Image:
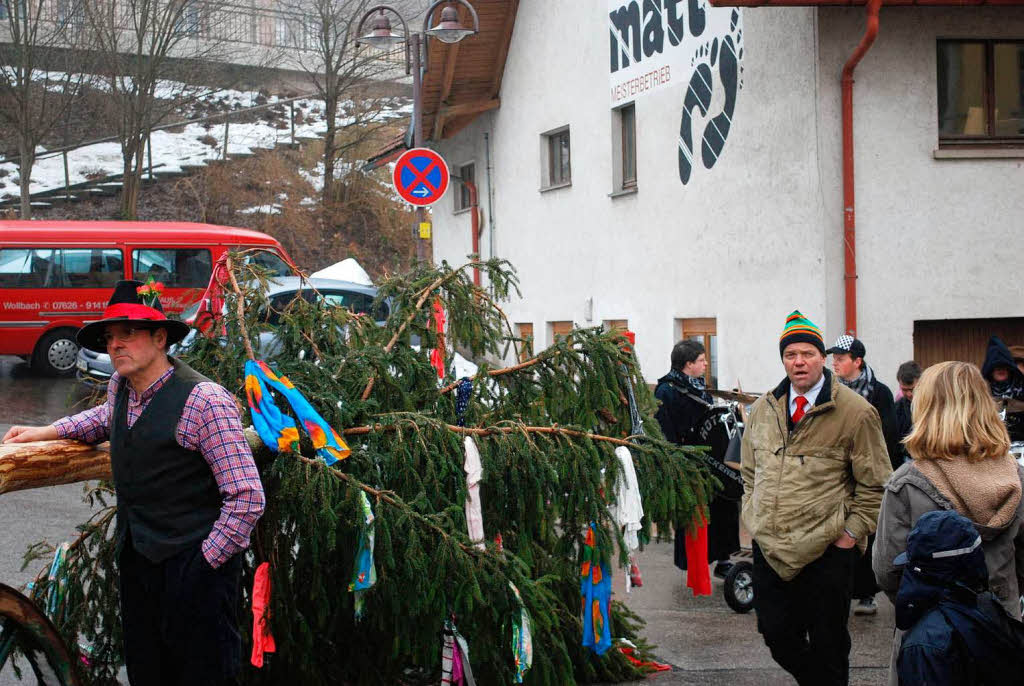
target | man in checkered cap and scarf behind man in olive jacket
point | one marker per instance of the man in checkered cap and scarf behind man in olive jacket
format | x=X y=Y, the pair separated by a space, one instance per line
x=851 y=370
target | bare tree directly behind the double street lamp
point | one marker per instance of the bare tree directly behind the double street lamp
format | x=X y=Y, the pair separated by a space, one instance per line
x=349 y=78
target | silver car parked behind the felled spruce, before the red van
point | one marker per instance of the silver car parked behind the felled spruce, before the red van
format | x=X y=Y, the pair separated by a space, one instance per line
x=95 y=369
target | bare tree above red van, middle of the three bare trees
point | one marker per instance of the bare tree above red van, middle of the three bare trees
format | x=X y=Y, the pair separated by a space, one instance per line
x=157 y=56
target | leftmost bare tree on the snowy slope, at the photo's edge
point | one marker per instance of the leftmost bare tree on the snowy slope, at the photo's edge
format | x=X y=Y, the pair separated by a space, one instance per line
x=41 y=36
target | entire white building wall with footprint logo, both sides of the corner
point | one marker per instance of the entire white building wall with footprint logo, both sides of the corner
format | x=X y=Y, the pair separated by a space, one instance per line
x=760 y=234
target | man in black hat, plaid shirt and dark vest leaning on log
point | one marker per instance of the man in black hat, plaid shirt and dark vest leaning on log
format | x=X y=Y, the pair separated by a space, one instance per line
x=189 y=494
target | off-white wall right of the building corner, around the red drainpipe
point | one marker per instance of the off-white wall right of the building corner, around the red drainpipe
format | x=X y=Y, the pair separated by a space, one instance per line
x=936 y=239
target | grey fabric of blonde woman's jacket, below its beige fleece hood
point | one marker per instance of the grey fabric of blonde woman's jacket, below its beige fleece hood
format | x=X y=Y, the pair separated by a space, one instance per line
x=909 y=495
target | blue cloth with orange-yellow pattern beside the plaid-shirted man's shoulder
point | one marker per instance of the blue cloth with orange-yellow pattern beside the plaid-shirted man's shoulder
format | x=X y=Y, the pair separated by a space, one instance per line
x=277 y=431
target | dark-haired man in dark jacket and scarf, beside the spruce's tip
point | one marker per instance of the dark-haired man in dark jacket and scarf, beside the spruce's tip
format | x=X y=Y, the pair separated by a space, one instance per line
x=685 y=405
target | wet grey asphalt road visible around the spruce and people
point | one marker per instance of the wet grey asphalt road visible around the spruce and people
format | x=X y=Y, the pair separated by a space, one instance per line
x=704 y=641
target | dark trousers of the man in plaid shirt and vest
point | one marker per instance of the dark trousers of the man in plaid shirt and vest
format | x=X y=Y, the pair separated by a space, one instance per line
x=181 y=620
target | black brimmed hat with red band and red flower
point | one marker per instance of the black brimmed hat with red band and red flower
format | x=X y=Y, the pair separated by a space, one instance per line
x=136 y=305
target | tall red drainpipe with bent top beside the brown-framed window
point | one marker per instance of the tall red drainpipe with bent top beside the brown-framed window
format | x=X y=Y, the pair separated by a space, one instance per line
x=849 y=218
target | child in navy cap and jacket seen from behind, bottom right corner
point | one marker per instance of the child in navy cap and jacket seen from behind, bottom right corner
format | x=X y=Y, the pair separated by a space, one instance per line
x=958 y=633
